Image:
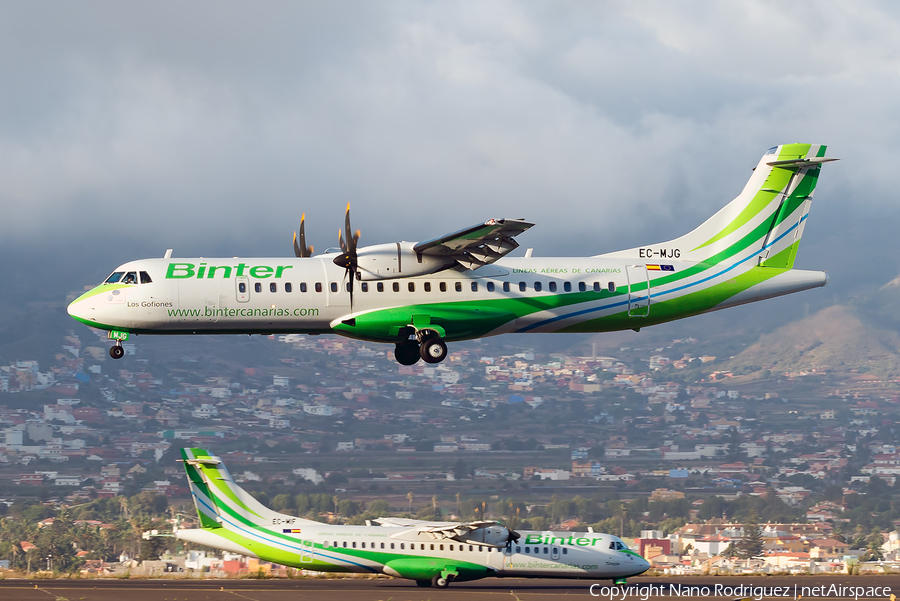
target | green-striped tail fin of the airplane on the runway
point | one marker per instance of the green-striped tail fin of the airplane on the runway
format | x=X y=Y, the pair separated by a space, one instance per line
x=218 y=498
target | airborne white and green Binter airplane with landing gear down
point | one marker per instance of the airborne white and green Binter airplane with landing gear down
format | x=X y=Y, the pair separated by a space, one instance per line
x=461 y=286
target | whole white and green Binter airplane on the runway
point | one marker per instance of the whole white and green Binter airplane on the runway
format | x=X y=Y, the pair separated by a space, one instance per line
x=431 y=553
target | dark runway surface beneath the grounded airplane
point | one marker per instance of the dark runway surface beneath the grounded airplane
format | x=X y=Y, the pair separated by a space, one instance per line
x=514 y=589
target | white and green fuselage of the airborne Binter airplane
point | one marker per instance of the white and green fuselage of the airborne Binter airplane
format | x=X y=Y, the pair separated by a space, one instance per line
x=311 y=295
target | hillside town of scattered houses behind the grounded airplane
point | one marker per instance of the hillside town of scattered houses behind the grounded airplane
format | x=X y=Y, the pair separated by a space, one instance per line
x=657 y=443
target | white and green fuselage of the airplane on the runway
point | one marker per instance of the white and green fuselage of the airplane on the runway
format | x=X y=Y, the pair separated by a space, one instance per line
x=401 y=552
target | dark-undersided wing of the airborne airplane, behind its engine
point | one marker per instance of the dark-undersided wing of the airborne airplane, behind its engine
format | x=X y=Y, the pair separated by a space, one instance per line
x=478 y=245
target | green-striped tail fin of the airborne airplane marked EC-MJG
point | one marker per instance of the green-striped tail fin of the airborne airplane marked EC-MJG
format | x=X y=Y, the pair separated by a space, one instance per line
x=767 y=217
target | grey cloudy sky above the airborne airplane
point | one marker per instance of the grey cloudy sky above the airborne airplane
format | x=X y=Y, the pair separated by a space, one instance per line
x=210 y=127
